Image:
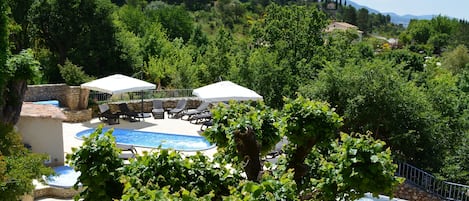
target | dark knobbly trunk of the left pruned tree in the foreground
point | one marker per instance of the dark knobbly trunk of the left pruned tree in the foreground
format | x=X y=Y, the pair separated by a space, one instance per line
x=249 y=149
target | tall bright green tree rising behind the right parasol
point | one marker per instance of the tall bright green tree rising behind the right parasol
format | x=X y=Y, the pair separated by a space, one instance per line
x=294 y=34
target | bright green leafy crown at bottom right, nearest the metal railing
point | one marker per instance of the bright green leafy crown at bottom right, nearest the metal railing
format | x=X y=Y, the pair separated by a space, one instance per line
x=354 y=165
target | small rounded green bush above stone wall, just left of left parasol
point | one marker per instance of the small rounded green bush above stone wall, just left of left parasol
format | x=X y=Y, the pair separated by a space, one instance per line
x=73 y=74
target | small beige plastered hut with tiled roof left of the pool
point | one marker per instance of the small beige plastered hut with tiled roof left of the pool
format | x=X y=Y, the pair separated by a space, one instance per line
x=41 y=129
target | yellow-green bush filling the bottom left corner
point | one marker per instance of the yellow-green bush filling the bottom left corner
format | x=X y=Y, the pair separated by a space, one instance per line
x=18 y=166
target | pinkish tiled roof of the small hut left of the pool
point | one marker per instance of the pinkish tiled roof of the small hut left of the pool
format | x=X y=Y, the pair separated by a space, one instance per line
x=41 y=111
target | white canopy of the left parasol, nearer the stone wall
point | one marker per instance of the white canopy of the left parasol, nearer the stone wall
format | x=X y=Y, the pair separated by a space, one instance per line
x=116 y=84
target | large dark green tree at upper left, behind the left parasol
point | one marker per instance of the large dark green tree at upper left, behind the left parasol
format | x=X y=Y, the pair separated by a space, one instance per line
x=54 y=23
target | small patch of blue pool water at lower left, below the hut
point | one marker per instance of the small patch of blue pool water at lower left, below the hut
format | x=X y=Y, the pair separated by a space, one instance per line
x=65 y=177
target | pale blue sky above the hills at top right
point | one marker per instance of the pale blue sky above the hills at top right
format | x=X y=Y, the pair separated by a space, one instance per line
x=455 y=8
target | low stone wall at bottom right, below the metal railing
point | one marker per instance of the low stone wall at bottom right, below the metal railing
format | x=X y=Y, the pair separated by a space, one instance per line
x=411 y=193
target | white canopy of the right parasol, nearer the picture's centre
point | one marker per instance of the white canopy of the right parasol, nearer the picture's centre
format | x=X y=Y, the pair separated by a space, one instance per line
x=225 y=91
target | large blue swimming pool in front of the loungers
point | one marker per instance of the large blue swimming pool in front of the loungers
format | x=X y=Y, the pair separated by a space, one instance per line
x=154 y=140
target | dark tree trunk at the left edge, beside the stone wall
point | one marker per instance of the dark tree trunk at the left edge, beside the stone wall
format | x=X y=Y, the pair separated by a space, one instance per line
x=13 y=101
